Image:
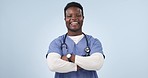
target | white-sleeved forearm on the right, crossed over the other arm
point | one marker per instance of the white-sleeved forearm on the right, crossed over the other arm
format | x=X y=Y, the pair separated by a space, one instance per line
x=93 y=62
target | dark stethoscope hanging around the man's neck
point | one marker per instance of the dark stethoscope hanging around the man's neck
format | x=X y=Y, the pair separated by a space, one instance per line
x=87 y=49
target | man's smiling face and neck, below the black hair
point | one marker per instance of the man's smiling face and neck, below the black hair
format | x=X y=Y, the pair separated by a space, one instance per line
x=74 y=20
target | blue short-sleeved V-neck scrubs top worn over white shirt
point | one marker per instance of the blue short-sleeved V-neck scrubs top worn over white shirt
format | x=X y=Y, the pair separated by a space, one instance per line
x=76 y=49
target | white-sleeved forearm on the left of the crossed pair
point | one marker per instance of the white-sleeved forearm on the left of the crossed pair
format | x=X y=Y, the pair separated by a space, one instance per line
x=56 y=64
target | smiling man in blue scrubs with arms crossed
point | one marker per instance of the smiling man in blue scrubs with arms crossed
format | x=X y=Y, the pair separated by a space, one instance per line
x=75 y=54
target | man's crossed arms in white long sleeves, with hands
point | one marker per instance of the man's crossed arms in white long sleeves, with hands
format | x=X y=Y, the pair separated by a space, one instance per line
x=58 y=63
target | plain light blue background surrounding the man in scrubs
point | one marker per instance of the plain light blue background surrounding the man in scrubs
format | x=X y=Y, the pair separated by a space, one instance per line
x=28 y=26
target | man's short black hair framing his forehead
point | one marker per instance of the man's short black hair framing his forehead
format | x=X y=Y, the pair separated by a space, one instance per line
x=73 y=4
